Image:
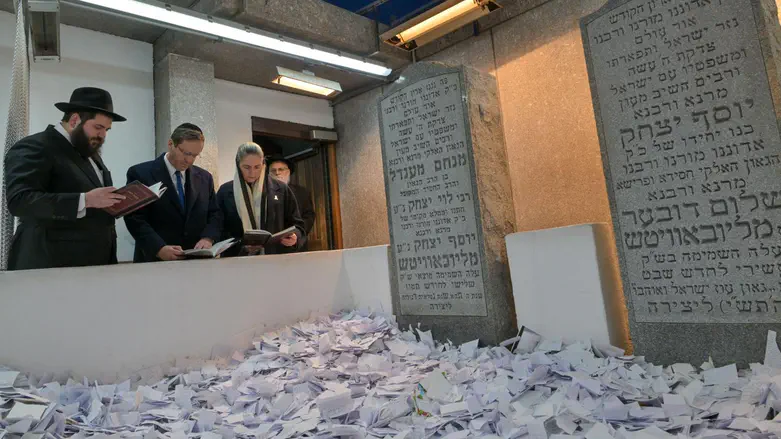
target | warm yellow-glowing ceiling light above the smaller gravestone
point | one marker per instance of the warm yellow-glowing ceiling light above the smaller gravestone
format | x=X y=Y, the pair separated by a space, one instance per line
x=437 y=22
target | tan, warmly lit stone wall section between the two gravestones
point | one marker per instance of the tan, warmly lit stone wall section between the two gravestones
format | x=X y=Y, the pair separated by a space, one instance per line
x=551 y=135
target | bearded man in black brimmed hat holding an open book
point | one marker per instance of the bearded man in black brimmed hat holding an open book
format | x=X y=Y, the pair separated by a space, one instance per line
x=57 y=184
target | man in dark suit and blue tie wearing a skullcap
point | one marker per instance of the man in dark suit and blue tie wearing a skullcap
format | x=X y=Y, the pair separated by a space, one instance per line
x=187 y=215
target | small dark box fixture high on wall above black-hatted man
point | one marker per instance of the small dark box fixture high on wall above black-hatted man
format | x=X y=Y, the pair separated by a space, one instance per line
x=43 y=17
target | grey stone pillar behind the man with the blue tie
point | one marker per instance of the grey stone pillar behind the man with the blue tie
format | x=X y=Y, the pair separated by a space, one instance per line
x=184 y=92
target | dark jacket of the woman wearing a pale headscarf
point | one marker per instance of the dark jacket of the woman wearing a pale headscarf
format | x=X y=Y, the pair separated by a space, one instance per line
x=281 y=213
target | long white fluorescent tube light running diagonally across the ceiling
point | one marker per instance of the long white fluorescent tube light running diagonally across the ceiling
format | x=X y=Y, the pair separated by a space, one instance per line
x=185 y=19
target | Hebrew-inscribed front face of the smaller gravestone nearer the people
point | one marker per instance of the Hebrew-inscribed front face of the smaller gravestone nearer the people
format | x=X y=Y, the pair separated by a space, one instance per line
x=428 y=174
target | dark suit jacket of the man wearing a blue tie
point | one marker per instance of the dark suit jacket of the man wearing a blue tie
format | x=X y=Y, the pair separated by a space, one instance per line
x=165 y=222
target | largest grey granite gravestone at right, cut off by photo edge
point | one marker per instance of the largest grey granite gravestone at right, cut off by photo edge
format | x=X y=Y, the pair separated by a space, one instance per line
x=688 y=128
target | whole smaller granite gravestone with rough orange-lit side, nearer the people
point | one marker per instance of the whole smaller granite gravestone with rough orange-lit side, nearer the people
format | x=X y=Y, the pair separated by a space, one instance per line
x=449 y=203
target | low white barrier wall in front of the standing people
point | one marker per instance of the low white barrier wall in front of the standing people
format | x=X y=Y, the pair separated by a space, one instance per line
x=108 y=323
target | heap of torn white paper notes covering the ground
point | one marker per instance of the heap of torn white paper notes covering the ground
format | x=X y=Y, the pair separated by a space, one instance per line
x=357 y=375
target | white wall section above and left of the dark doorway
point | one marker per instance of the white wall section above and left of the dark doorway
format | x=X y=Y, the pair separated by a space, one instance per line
x=237 y=103
